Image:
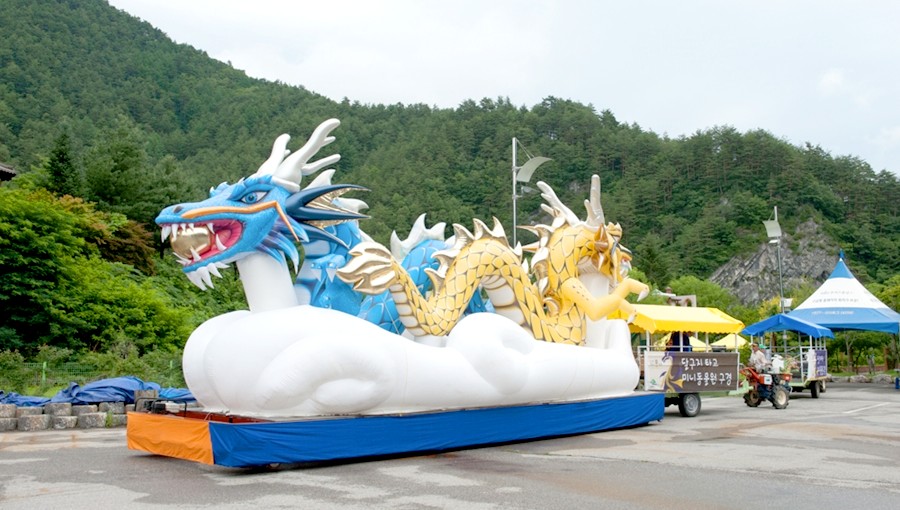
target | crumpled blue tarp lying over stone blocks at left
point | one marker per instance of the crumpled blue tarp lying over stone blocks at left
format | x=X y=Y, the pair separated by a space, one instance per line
x=117 y=389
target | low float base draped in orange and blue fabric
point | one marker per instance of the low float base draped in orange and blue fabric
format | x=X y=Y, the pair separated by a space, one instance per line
x=236 y=441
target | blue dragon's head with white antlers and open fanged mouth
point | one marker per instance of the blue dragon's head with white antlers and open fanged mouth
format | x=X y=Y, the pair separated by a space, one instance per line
x=266 y=212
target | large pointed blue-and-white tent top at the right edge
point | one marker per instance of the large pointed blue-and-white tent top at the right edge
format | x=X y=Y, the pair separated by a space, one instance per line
x=843 y=303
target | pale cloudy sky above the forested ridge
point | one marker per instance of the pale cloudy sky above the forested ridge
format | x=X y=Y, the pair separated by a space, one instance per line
x=824 y=72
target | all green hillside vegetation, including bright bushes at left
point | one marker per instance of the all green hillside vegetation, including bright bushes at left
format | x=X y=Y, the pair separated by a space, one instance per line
x=98 y=105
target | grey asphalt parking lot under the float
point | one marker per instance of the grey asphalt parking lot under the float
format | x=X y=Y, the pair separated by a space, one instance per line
x=841 y=450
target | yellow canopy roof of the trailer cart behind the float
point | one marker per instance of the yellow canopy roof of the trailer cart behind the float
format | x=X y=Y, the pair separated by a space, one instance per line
x=663 y=318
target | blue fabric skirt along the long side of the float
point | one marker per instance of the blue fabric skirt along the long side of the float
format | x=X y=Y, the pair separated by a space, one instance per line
x=314 y=440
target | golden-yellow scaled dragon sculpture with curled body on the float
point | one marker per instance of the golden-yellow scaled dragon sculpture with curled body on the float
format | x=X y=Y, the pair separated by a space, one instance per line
x=554 y=309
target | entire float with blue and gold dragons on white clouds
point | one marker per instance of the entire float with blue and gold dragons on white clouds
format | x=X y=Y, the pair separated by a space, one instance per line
x=431 y=345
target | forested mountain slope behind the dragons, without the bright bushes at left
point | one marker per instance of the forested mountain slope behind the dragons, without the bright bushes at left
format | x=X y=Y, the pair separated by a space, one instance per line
x=148 y=122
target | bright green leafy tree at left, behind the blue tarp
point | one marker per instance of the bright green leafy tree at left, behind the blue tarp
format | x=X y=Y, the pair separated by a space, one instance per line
x=56 y=290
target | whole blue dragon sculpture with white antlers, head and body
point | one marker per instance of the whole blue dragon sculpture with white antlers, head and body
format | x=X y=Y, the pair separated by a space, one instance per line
x=269 y=213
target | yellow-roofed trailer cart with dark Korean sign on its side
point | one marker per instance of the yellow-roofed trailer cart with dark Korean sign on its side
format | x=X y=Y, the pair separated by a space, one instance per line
x=685 y=371
